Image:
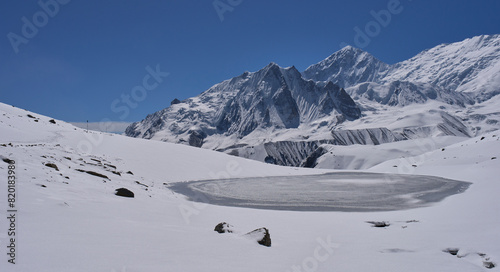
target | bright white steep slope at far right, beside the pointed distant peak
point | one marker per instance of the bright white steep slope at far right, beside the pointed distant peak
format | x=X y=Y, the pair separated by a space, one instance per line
x=471 y=66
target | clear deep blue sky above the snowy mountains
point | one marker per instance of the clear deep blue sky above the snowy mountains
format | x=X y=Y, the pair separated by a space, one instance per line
x=91 y=52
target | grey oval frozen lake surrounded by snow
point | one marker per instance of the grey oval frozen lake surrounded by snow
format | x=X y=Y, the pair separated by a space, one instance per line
x=342 y=191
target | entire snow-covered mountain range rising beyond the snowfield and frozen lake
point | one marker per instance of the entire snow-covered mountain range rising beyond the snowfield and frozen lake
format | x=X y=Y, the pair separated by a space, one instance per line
x=282 y=116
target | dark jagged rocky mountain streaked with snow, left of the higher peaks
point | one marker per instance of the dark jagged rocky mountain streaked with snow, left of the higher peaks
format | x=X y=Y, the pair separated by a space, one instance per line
x=271 y=99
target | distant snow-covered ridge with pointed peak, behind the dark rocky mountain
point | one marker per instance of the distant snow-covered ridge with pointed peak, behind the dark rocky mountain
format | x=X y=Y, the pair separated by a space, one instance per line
x=471 y=66
